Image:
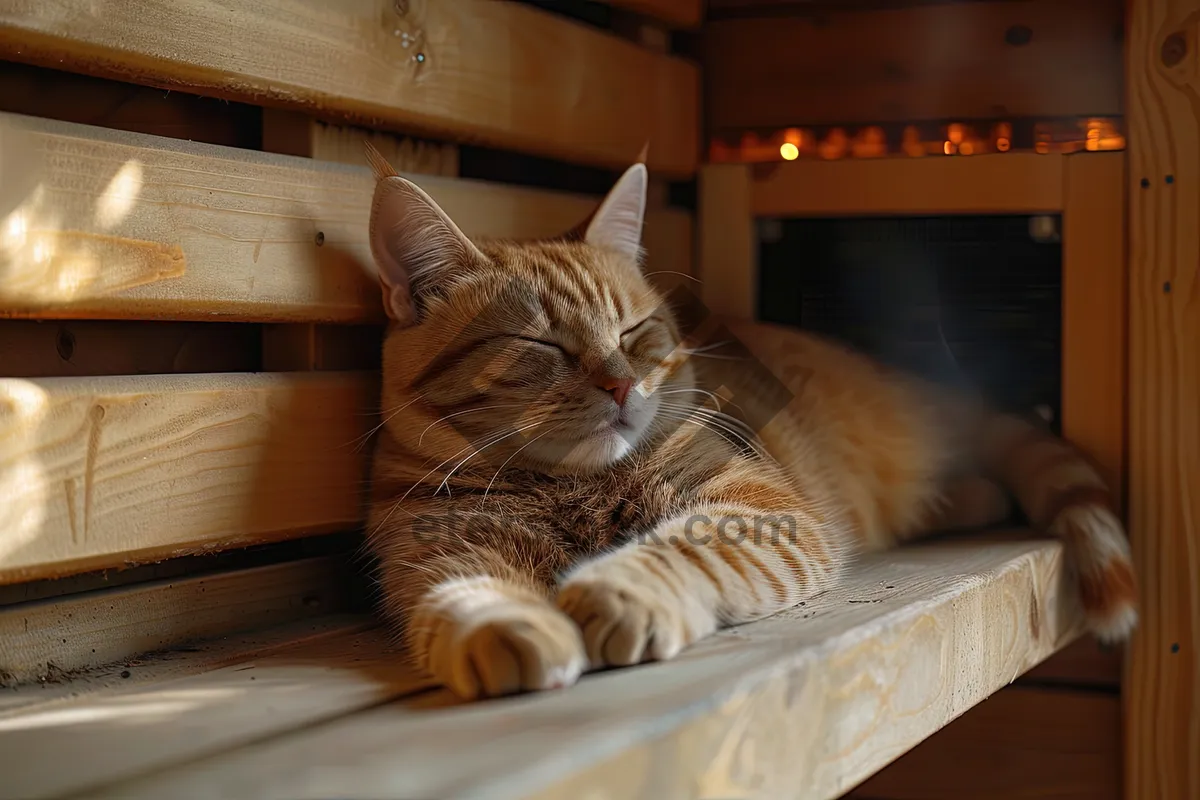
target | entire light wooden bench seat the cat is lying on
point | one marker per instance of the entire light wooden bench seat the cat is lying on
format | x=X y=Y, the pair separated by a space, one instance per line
x=808 y=703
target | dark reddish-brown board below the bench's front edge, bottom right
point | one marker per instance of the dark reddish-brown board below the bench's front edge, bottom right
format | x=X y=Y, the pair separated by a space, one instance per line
x=1021 y=744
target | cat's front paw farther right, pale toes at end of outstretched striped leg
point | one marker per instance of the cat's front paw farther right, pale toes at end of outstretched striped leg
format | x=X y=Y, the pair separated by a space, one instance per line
x=625 y=624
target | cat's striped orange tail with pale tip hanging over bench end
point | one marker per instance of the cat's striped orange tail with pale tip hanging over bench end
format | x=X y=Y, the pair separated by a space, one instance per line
x=1064 y=495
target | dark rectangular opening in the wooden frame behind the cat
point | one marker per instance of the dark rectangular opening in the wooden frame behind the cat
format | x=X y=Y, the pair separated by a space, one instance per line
x=968 y=300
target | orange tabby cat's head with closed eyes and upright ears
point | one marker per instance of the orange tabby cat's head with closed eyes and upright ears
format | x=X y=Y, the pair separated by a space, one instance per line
x=556 y=356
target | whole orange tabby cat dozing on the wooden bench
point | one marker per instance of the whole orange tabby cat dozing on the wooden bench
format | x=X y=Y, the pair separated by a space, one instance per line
x=562 y=483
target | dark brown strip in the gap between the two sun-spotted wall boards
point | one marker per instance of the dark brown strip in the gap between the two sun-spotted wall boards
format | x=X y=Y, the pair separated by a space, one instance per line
x=74 y=348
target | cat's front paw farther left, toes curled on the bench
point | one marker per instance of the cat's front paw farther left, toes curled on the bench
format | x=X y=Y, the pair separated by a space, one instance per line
x=518 y=648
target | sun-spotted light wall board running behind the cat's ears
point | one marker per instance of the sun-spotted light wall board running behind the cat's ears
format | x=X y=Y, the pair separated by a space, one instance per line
x=185 y=231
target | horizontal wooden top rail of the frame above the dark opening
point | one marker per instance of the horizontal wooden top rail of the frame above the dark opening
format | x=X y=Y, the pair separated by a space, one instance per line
x=994 y=184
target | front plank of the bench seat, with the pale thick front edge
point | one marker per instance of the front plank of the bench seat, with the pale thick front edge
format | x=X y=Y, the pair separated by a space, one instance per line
x=803 y=705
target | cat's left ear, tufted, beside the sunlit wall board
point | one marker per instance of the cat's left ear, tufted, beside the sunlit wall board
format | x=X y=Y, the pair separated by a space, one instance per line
x=415 y=243
